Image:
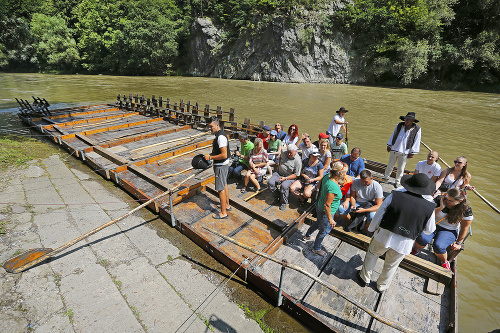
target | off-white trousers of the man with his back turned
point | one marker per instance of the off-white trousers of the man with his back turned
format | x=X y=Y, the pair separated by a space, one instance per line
x=391 y=263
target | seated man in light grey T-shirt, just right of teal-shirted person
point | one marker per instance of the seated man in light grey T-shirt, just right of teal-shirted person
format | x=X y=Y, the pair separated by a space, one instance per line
x=366 y=196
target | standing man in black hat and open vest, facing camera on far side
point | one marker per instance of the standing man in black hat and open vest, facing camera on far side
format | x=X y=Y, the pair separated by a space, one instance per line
x=402 y=145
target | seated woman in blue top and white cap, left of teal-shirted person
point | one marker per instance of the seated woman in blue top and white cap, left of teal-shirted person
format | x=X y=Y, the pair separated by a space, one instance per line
x=311 y=173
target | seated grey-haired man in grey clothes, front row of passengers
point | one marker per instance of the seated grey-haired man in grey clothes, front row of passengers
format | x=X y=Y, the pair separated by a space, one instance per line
x=289 y=168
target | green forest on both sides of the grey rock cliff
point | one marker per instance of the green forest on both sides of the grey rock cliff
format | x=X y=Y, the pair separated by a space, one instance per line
x=398 y=42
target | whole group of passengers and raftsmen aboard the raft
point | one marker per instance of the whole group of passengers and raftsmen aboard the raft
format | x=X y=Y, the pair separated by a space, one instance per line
x=429 y=204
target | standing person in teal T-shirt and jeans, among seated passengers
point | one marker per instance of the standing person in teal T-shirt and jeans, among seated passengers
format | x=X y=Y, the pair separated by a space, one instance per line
x=328 y=203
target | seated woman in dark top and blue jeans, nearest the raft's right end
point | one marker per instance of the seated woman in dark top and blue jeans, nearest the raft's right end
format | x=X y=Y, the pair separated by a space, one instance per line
x=453 y=213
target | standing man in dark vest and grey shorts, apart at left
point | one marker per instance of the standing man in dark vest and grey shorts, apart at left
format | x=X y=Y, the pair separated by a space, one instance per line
x=220 y=157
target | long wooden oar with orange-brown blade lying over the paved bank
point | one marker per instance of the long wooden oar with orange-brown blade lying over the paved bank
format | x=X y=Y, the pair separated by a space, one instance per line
x=34 y=256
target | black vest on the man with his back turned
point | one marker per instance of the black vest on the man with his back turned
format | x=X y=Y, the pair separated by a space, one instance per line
x=407 y=214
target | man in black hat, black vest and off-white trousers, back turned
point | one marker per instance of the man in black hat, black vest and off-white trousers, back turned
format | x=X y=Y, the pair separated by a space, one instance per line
x=404 y=214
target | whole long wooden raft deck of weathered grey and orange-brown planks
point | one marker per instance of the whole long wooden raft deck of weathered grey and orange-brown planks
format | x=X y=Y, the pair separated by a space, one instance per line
x=147 y=153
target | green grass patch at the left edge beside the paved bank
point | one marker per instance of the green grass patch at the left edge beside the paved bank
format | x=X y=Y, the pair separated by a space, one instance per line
x=16 y=150
